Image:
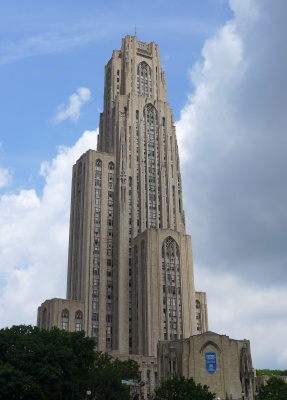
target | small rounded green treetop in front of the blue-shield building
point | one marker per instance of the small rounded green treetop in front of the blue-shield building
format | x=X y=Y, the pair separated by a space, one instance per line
x=181 y=388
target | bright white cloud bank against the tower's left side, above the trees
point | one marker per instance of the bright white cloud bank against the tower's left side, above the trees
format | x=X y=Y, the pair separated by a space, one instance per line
x=34 y=238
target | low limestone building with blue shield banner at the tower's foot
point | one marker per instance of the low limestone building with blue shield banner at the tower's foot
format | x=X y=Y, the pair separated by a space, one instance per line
x=223 y=364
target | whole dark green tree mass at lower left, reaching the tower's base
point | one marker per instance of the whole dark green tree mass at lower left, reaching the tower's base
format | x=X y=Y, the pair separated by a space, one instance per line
x=57 y=365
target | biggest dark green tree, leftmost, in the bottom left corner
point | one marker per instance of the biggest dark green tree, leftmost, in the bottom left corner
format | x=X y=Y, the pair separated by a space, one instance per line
x=40 y=364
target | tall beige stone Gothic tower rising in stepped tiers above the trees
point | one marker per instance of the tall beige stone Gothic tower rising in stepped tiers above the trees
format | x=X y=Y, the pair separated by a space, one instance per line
x=130 y=269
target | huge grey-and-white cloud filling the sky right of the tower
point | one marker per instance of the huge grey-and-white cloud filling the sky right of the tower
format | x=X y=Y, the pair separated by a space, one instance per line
x=232 y=133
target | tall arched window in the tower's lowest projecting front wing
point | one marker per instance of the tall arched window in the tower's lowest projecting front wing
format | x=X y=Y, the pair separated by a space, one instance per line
x=171 y=289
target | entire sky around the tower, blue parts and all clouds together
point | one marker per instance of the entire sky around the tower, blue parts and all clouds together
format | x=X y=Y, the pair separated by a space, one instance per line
x=225 y=65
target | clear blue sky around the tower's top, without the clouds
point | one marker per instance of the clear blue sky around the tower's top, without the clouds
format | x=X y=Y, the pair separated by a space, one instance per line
x=49 y=49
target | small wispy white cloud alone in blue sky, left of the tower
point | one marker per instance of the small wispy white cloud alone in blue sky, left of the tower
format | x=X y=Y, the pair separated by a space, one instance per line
x=73 y=109
